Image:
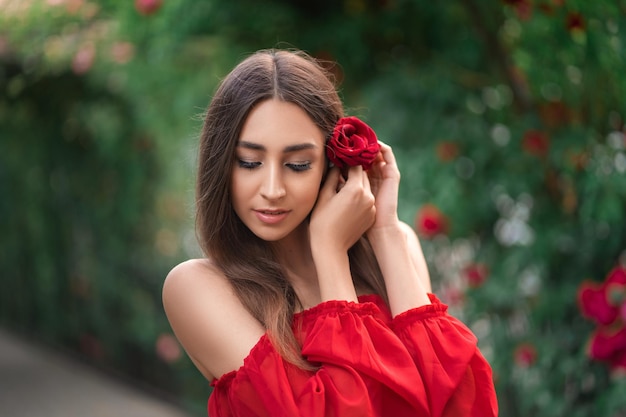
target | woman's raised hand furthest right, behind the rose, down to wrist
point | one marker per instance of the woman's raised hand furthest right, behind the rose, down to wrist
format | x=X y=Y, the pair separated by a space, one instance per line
x=384 y=179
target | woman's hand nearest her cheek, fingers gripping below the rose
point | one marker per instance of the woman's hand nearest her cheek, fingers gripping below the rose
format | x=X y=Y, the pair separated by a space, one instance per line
x=344 y=210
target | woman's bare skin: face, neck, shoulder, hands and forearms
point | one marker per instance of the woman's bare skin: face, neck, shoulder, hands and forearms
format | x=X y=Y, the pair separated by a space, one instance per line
x=279 y=169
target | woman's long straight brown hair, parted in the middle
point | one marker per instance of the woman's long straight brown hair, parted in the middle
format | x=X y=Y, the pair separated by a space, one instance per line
x=246 y=260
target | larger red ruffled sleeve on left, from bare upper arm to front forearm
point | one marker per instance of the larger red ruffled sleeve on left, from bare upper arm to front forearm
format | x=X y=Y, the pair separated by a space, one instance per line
x=363 y=369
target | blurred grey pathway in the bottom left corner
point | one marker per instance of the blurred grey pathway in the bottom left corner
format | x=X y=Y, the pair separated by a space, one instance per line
x=38 y=382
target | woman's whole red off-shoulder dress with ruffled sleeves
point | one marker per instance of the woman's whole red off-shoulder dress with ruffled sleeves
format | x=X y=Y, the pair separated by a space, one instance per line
x=423 y=362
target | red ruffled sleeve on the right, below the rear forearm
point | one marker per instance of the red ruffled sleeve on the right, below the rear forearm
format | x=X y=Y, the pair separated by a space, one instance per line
x=457 y=378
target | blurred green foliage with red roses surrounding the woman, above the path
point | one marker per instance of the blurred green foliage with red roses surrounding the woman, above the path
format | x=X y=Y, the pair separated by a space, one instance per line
x=507 y=120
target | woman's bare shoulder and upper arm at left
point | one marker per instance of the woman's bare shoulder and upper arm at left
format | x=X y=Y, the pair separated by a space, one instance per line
x=208 y=319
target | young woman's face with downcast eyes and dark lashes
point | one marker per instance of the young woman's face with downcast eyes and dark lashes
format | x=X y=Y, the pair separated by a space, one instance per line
x=278 y=170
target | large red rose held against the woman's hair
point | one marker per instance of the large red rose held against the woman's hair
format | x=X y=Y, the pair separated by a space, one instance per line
x=352 y=143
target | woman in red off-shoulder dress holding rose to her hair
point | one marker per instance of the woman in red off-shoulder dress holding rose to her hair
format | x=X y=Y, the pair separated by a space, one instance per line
x=313 y=297
